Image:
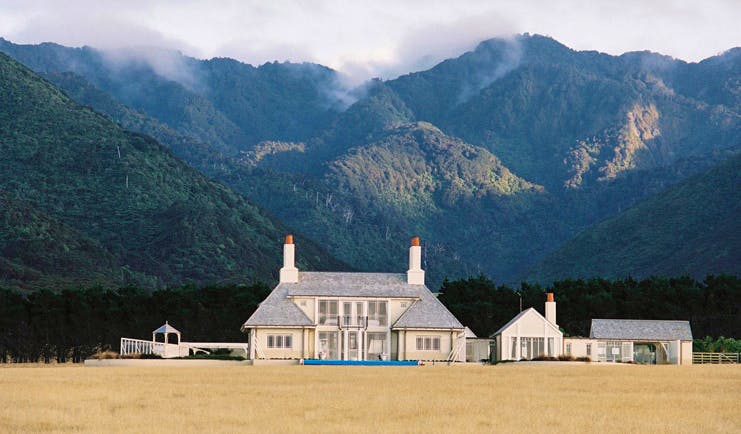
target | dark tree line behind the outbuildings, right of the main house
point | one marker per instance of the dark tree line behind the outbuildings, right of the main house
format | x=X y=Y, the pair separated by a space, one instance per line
x=712 y=306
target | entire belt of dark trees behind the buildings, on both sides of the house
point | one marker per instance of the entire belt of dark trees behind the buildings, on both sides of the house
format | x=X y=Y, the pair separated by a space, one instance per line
x=71 y=325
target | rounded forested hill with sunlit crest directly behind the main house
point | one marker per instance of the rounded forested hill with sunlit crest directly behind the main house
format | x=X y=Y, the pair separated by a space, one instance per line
x=470 y=210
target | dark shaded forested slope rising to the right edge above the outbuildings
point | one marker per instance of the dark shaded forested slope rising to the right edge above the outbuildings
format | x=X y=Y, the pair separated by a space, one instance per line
x=692 y=228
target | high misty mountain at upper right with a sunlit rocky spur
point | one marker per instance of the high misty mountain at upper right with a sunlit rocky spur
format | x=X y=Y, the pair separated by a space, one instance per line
x=560 y=117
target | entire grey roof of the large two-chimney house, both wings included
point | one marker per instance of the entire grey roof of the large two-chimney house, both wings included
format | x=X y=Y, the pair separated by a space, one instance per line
x=279 y=310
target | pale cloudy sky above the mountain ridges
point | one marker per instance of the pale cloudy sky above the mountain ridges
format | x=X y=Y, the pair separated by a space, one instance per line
x=377 y=37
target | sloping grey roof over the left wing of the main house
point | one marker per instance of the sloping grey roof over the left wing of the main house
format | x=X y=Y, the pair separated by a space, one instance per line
x=278 y=310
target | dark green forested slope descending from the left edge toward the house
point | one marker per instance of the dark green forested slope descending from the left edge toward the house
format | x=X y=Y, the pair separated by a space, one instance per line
x=85 y=202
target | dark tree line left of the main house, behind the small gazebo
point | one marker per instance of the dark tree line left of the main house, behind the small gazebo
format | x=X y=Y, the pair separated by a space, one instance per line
x=71 y=325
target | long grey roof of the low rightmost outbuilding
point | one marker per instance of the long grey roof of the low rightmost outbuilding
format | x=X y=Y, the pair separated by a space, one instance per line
x=640 y=329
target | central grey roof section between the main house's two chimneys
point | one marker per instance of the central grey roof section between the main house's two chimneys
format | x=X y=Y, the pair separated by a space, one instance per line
x=353 y=285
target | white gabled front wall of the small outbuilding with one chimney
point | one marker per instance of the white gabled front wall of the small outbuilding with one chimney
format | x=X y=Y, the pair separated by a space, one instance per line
x=530 y=325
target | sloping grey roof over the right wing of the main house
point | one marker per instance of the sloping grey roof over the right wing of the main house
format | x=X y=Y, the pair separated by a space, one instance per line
x=427 y=313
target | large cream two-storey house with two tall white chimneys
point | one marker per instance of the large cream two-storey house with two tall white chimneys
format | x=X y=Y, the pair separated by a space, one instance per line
x=354 y=316
